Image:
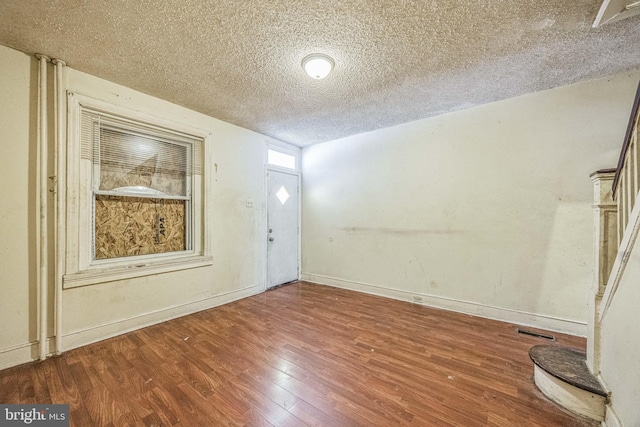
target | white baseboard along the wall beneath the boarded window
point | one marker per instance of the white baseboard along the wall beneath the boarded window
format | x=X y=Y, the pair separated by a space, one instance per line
x=29 y=352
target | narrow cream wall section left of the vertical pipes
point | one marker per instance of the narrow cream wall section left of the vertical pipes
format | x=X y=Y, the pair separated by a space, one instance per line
x=17 y=203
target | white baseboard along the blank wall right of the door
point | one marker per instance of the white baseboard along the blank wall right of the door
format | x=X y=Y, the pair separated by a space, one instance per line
x=523 y=318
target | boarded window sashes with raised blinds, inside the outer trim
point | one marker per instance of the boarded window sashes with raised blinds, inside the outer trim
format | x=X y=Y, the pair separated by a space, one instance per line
x=141 y=187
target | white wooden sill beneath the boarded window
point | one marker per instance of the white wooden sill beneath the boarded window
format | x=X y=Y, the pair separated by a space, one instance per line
x=111 y=274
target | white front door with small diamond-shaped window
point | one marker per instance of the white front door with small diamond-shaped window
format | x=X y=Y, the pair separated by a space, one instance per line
x=282 y=228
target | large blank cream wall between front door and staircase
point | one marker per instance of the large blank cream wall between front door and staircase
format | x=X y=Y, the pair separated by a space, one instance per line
x=486 y=210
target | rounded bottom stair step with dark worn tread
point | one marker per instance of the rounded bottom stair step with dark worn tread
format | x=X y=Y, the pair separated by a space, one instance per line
x=561 y=373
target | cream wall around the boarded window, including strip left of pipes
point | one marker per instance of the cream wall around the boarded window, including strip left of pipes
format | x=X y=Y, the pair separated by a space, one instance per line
x=95 y=312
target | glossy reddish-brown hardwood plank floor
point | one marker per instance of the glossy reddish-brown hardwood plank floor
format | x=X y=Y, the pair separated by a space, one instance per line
x=300 y=355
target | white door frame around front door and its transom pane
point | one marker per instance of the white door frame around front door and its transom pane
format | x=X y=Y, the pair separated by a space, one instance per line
x=295 y=172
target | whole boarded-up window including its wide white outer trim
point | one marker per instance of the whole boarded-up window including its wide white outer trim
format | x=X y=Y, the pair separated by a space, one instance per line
x=136 y=196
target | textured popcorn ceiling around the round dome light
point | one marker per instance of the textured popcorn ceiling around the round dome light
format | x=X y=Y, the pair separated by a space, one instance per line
x=396 y=60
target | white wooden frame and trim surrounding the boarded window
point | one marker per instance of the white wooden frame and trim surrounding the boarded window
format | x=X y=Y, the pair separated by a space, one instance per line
x=80 y=267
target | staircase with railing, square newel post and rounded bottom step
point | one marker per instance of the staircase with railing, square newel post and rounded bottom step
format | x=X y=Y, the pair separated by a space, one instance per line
x=568 y=376
